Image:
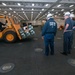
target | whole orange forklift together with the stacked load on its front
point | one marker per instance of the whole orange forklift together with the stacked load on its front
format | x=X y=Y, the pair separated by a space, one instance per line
x=14 y=30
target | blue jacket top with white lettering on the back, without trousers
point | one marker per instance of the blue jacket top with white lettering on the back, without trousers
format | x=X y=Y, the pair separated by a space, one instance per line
x=49 y=28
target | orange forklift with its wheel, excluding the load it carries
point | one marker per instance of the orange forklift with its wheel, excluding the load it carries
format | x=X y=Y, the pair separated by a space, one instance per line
x=9 y=32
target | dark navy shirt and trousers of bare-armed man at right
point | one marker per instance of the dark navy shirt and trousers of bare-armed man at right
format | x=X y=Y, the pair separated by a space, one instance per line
x=68 y=36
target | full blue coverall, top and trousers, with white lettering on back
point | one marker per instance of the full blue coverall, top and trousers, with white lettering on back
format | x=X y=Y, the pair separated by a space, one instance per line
x=49 y=31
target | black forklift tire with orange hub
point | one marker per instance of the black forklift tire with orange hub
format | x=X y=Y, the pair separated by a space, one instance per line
x=10 y=37
